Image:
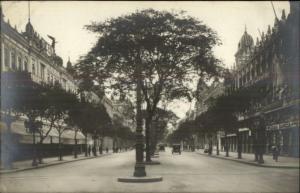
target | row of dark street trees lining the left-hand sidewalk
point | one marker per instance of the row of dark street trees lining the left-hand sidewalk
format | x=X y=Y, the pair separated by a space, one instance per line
x=48 y=107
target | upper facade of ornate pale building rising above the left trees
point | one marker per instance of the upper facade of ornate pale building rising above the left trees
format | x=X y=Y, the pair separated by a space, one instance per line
x=27 y=51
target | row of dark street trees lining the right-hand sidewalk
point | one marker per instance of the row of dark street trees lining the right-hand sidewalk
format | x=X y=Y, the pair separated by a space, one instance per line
x=223 y=114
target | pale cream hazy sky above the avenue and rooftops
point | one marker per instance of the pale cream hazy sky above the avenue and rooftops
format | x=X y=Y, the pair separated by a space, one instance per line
x=65 y=20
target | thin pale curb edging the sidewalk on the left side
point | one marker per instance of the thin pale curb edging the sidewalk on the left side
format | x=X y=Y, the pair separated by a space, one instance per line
x=50 y=164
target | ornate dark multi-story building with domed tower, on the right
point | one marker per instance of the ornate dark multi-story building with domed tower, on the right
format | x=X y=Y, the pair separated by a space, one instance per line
x=273 y=61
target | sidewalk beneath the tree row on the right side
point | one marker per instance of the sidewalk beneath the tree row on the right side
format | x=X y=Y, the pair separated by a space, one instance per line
x=283 y=162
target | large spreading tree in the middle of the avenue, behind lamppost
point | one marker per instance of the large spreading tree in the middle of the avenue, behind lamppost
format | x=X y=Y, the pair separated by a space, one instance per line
x=172 y=51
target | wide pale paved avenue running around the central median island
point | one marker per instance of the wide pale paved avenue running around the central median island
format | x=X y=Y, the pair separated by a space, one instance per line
x=188 y=172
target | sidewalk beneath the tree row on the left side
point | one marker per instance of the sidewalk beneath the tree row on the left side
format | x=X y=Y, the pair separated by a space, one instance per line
x=26 y=164
